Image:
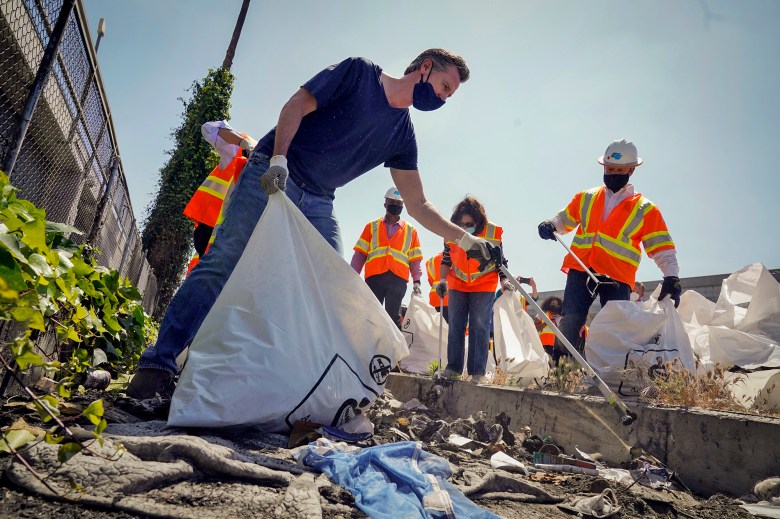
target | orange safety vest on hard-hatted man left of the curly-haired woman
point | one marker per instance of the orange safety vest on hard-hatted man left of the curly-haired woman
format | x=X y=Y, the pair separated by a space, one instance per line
x=385 y=254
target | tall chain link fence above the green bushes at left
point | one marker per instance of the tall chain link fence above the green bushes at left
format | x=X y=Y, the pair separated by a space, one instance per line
x=68 y=162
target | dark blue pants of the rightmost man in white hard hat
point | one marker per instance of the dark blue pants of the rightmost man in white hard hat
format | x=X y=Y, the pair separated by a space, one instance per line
x=577 y=301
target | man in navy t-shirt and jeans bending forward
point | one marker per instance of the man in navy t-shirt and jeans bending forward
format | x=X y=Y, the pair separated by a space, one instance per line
x=342 y=123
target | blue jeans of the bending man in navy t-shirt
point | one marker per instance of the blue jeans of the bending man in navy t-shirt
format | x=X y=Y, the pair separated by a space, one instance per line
x=197 y=294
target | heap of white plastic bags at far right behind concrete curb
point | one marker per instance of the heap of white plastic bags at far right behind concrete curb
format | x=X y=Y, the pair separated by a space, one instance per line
x=741 y=329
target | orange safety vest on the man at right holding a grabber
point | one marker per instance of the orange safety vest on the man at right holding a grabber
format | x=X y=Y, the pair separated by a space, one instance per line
x=611 y=246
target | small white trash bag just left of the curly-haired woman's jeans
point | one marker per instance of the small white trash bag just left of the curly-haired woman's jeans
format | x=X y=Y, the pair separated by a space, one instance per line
x=421 y=329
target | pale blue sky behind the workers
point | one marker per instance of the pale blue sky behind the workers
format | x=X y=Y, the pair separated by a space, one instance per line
x=695 y=84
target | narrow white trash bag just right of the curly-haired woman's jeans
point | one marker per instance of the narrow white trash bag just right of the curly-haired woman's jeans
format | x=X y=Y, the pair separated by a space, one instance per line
x=519 y=350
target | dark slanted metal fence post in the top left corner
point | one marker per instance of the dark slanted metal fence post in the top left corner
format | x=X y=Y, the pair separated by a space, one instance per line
x=40 y=79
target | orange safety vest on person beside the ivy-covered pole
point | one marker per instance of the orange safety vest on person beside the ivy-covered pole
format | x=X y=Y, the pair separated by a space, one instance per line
x=205 y=204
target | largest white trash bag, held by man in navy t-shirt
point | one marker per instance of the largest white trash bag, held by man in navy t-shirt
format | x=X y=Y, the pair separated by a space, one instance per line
x=294 y=335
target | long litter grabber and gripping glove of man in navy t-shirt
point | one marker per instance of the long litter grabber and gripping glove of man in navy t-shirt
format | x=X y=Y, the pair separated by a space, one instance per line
x=627 y=416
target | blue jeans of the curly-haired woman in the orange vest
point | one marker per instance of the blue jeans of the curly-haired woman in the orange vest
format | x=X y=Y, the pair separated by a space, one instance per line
x=475 y=310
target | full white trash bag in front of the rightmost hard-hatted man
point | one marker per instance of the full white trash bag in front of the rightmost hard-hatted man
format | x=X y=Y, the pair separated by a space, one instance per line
x=629 y=344
